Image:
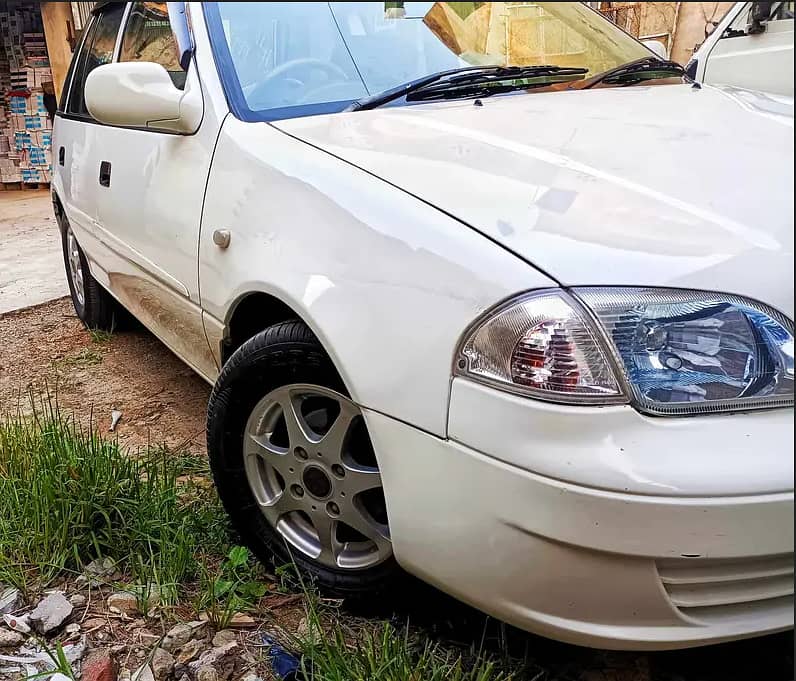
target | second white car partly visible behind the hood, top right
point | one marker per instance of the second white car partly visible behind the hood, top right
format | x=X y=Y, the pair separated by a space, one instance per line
x=751 y=47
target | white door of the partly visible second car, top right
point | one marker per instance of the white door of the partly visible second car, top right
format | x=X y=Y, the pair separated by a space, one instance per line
x=755 y=60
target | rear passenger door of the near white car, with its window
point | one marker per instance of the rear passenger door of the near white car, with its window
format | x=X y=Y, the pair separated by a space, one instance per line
x=77 y=137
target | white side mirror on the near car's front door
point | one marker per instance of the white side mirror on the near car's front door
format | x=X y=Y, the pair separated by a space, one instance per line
x=142 y=95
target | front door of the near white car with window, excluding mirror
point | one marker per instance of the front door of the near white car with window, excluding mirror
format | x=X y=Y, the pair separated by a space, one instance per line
x=151 y=186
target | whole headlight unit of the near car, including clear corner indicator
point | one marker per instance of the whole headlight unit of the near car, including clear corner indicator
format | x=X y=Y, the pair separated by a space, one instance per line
x=668 y=351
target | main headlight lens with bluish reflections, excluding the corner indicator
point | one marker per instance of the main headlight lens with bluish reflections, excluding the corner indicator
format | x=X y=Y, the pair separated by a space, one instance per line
x=691 y=352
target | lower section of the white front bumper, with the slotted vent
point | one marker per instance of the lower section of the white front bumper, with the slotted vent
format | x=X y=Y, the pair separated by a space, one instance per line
x=589 y=566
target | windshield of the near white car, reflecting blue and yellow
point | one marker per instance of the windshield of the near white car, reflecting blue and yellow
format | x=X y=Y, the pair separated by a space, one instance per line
x=298 y=58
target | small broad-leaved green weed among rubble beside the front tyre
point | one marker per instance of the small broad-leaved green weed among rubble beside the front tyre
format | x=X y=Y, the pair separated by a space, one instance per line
x=230 y=589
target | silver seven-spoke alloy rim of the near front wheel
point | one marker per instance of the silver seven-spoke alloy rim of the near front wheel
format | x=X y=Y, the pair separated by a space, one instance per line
x=311 y=468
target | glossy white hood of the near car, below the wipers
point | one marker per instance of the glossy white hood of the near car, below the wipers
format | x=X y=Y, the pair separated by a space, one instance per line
x=664 y=185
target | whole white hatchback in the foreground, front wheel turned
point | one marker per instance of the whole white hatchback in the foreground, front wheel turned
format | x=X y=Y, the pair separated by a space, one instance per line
x=488 y=293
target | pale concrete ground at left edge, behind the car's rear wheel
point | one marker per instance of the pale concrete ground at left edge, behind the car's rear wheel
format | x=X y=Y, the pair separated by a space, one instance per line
x=31 y=264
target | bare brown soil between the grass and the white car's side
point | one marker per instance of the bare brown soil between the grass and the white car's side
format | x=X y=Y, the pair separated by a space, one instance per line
x=46 y=350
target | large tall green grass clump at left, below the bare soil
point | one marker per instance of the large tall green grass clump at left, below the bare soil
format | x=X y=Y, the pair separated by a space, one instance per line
x=68 y=496
